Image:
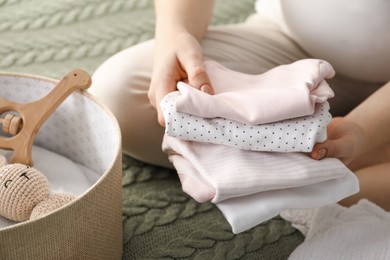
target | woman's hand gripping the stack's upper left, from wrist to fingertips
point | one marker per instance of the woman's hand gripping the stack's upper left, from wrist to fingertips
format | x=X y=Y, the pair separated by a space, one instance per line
x=179 y=59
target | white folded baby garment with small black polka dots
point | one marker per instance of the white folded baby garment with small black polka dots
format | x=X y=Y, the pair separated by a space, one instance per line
x=290 y=135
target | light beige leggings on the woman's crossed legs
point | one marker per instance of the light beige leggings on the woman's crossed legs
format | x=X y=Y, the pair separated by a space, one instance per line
x=252 y=47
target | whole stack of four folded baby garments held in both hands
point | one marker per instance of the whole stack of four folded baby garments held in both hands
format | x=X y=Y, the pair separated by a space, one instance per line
x=244 y=147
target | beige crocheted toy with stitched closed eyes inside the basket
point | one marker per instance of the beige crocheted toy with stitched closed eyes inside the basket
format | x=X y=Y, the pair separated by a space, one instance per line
x=25 y=193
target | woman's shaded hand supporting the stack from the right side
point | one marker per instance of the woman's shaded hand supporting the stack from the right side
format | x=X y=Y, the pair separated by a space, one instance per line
x=344 y=141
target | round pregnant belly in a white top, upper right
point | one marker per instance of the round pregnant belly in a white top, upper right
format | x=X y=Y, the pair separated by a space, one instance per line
x=353 y=35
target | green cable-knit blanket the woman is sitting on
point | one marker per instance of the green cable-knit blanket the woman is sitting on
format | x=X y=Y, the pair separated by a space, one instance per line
x=51 y=37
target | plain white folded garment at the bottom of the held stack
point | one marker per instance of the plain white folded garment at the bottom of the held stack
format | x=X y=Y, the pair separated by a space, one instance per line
x=246 y=212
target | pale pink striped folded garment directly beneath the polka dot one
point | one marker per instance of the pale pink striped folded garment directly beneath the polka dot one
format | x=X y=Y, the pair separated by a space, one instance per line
x=210 y=172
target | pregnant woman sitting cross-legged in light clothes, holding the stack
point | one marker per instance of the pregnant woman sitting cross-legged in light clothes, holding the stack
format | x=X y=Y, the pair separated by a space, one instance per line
x=133 y=82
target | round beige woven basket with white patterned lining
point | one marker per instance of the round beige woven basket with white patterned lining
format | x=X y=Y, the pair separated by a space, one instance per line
x=83 y=130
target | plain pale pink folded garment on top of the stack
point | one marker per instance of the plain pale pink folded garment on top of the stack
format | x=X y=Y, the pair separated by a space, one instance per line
x=286 y=91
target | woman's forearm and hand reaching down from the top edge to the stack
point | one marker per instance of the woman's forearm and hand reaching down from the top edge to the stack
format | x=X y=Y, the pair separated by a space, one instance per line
x=180 y=25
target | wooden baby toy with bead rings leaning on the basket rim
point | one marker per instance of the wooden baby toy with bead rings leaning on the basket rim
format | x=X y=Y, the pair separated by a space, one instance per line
x=34 y=114
